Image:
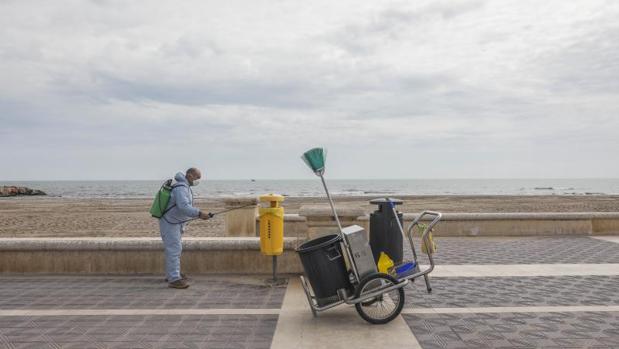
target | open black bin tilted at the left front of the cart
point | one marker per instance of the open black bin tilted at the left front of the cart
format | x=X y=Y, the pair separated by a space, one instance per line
x=324 y=266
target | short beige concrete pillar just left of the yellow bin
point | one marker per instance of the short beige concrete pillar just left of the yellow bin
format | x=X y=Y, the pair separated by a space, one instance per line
x=241 y=222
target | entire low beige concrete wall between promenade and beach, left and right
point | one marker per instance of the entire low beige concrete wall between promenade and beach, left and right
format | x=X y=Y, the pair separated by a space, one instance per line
x=242 y=254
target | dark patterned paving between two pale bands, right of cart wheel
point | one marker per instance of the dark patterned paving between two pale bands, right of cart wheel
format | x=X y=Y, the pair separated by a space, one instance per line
x=514 y=291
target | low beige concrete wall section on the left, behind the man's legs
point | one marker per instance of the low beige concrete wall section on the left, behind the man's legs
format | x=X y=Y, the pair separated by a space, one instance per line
x=140 y=255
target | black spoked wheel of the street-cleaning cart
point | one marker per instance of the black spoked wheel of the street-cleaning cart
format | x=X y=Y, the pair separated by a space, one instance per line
x=383 y=308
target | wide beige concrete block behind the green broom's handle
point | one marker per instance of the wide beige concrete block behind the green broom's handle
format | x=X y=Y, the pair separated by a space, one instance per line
x=320 y=220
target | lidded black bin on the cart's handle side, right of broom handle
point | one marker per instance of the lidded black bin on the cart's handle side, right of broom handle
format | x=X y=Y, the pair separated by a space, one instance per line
x=385 y=235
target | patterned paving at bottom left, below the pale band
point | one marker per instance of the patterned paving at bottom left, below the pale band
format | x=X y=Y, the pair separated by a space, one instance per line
x=183 y=331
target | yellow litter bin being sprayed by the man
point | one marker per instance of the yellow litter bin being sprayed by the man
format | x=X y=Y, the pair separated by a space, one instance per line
x=271 y=225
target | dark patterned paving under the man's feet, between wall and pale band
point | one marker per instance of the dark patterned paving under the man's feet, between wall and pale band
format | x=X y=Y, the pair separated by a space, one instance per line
x=121 y=292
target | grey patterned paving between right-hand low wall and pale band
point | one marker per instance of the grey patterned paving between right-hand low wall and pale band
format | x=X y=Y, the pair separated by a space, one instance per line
x=523 y=250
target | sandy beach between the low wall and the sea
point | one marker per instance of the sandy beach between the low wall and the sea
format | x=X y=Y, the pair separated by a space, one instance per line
x=62 y=217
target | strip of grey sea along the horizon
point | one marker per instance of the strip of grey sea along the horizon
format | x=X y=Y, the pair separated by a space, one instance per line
x=337 y=187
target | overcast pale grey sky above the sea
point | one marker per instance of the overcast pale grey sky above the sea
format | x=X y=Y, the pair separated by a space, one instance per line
x=393 y=89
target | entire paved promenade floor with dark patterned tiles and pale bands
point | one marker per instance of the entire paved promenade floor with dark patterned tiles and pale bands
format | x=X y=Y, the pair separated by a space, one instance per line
x=559 y=292
